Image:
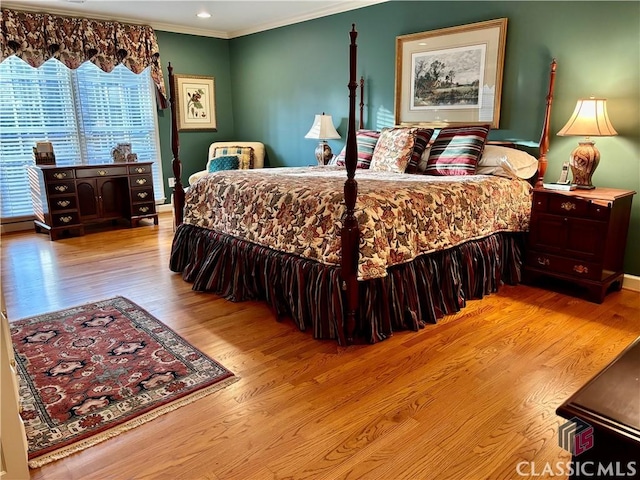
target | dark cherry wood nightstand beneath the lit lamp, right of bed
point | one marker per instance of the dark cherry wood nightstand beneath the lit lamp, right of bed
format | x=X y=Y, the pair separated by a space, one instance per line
x=579 y=236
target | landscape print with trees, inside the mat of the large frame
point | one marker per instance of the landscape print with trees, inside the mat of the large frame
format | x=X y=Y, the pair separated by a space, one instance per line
x=450 y=78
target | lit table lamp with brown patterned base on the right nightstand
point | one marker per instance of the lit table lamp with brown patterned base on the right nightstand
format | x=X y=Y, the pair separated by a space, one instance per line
x=589 y=119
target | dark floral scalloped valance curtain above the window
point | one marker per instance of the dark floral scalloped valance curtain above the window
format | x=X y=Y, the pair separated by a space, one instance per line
x=37 y=37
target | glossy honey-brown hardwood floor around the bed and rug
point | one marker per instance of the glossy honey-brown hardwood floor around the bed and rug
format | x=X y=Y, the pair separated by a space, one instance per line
x=468 y=398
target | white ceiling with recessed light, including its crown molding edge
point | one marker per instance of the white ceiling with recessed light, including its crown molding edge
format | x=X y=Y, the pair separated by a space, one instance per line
x=228 y=19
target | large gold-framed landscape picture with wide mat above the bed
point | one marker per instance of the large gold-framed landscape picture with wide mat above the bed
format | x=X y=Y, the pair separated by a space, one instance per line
x=452 y=75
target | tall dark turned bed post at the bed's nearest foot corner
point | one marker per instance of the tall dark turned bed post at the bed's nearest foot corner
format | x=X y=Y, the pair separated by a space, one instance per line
x=350 y=231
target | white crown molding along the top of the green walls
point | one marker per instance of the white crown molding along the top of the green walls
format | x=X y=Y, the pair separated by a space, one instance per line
x=201 y=32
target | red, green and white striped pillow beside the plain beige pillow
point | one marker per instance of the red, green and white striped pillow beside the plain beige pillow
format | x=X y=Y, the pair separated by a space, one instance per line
x=456 y=150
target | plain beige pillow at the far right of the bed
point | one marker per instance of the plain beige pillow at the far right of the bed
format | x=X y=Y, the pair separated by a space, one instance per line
x=506 y=162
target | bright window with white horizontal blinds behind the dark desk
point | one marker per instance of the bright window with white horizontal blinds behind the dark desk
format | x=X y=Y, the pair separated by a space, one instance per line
x=84 y=113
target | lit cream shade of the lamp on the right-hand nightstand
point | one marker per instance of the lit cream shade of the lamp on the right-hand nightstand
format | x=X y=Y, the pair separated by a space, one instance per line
x=589 y=119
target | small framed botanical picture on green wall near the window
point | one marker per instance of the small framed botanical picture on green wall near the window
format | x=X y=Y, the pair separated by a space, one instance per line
x=195 y=102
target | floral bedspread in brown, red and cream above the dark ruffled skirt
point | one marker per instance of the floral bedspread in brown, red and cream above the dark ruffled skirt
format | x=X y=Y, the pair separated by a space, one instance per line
x=401 y=216
